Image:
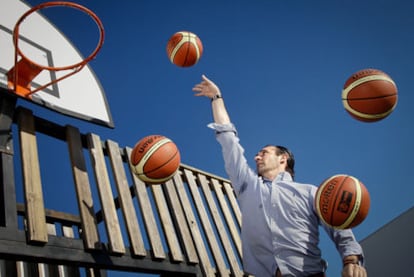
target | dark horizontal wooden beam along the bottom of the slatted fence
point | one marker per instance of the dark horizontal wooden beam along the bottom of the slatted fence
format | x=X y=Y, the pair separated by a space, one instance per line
x=65 y=251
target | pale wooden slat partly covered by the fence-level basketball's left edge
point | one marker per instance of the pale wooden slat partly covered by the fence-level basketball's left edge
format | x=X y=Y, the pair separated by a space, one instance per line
x=147 y=213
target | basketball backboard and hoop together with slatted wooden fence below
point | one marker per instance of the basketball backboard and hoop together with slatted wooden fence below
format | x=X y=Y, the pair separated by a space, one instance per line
x=187 y=226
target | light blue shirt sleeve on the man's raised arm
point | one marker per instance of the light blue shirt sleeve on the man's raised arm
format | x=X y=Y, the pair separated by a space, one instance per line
x=235 y=163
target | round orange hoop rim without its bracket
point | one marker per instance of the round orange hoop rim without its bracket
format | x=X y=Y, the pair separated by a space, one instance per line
x=78 y=65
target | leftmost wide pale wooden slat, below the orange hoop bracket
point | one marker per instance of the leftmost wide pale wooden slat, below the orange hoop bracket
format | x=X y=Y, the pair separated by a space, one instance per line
x=35 y=210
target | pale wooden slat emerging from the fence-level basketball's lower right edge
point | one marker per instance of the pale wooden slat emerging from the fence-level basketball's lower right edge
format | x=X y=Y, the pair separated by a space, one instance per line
x=177 y=213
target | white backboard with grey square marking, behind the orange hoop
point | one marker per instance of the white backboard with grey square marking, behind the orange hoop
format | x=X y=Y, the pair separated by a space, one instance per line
x=80 y=95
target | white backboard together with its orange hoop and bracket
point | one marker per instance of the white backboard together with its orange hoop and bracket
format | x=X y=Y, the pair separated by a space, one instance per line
x=39 y=63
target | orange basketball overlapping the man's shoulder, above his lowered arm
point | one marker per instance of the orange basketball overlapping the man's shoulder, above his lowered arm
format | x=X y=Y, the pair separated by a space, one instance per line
x=342 y=201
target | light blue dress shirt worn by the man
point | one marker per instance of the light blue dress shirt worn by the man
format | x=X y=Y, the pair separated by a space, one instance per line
x=280 y=228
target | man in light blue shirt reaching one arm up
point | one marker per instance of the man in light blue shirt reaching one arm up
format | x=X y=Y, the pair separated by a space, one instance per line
x=280 y=229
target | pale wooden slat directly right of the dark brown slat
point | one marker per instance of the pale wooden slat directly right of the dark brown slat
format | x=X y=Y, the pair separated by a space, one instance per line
x=116 y=243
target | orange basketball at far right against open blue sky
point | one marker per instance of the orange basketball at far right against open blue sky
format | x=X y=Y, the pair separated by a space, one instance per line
x=369 y=95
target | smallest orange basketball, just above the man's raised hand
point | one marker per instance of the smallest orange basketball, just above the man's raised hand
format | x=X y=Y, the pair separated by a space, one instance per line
x=184 y=49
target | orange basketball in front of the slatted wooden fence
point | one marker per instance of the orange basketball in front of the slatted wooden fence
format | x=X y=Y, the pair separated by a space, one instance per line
x=155 y=159
